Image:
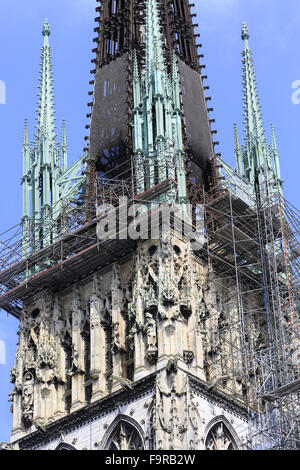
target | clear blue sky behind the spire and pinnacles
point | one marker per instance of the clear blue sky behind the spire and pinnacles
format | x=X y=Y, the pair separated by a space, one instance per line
x=274 y=38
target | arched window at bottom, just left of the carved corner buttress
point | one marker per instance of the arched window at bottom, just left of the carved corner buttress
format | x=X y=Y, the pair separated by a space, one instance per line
x=124 y=436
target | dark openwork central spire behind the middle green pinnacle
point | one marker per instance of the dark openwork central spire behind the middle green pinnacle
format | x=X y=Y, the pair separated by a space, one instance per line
x=122 y=35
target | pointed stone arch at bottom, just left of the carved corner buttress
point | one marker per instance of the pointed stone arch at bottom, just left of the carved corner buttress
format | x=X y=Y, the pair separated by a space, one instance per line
x=123 y=434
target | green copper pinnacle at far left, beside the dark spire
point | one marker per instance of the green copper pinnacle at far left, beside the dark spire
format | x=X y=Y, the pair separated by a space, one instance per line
x=45 y=174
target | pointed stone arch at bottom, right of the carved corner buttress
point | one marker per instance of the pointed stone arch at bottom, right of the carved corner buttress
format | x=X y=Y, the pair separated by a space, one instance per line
x=220 y=435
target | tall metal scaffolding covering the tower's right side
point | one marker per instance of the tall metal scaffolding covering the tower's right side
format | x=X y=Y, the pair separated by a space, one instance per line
x=254 y=249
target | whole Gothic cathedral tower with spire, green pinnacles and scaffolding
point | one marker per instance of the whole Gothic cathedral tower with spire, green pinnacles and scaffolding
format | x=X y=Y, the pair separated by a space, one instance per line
x=152 y=307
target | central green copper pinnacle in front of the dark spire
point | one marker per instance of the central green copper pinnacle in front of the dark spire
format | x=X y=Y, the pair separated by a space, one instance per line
x=157 y=127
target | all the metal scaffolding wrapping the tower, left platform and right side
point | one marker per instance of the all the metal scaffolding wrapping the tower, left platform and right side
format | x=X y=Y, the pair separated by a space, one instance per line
x=252 y=249
